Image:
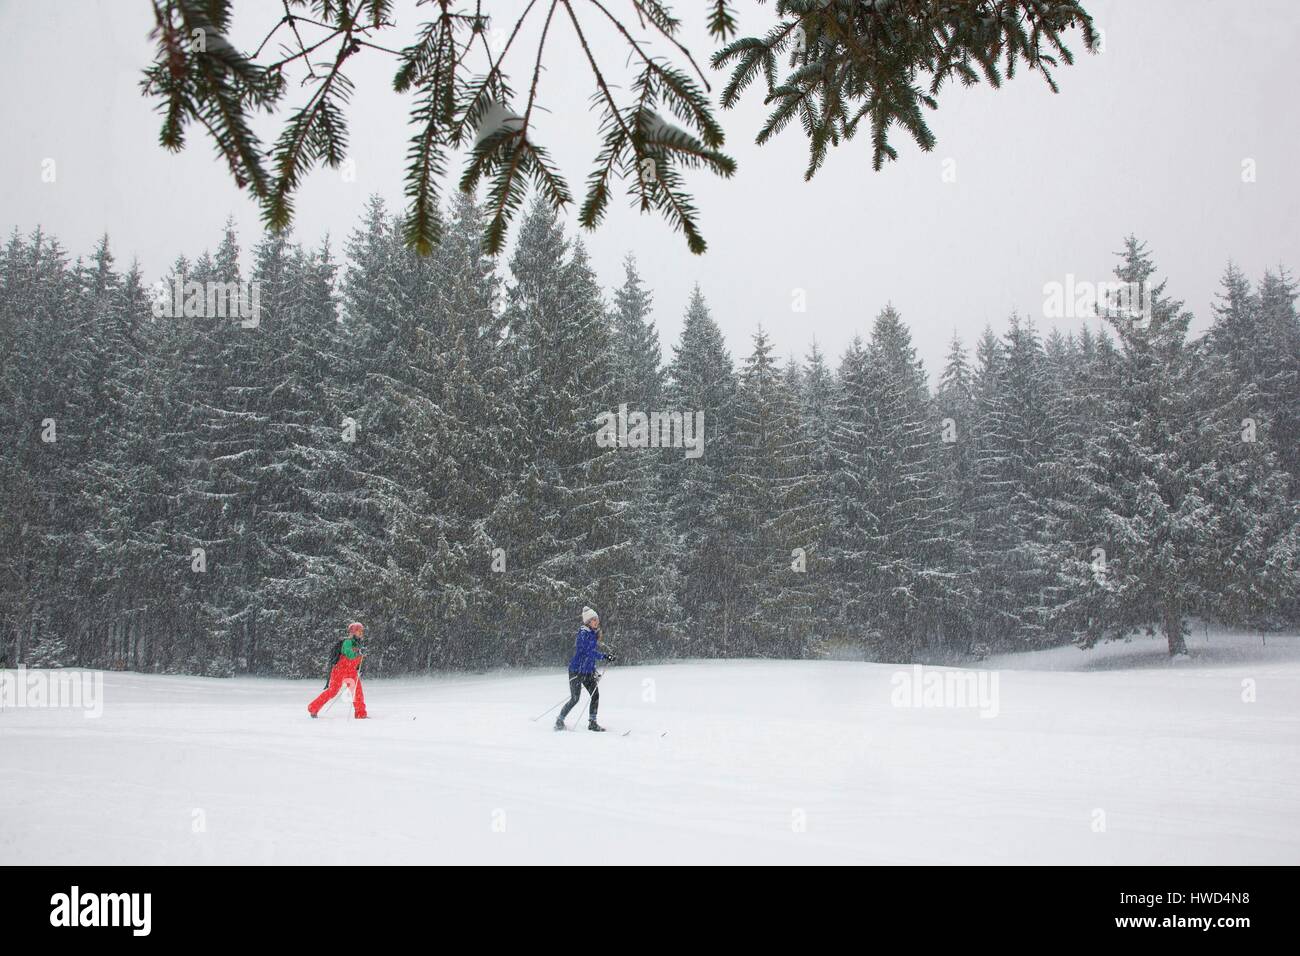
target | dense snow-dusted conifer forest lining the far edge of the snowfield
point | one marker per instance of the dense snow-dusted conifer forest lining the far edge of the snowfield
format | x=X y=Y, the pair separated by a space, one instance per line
x=413 y=442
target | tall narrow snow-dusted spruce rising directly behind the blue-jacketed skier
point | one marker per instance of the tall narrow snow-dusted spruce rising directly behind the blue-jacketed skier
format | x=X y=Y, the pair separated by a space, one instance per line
x=557 y=526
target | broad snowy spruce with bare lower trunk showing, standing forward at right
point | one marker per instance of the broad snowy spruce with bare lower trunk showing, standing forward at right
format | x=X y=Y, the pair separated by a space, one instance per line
x=1168 y=511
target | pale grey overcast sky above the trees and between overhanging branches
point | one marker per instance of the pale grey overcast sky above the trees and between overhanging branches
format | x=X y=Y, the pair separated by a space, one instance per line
x=1149 y=137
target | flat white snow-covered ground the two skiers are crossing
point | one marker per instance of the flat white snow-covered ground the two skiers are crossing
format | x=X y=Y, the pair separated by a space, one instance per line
x=1113 y=756
